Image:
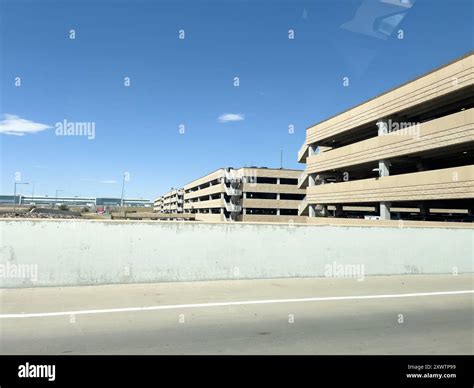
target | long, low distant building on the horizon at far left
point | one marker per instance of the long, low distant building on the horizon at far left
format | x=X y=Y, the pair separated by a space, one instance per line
x=73 y=201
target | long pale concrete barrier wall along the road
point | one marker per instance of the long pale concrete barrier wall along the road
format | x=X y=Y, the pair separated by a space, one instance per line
x=86 y=252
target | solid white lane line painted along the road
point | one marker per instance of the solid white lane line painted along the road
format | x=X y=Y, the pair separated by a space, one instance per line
x=220 y=304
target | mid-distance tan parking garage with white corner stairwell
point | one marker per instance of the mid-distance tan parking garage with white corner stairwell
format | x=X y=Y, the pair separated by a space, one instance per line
x=245 y=194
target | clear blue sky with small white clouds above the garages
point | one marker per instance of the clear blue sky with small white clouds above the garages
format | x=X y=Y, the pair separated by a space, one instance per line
x=190 y=82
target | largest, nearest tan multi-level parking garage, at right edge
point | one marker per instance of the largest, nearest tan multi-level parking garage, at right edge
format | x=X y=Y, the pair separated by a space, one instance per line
x=404 y=154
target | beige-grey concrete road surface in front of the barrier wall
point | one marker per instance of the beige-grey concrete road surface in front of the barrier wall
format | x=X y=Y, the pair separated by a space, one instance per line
x=413 y=314
